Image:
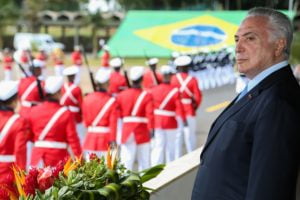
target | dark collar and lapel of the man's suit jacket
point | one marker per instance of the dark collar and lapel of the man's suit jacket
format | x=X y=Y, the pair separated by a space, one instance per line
x=233 y=107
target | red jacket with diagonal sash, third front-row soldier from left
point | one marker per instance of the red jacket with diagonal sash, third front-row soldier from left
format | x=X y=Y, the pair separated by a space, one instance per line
x=100 y=117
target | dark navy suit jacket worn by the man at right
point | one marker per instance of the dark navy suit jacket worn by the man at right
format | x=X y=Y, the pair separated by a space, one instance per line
x=252 y=150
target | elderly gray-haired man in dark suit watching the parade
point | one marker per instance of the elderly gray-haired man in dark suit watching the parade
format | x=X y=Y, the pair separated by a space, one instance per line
x=252 y=150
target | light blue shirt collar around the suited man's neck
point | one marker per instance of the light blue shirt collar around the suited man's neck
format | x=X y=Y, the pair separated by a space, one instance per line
x=262 y=75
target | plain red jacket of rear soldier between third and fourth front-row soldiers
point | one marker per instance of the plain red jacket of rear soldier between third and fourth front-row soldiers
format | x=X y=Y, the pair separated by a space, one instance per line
x=117 y=83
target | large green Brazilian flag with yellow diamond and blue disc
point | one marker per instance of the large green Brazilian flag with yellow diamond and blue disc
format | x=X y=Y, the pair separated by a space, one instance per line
x=159 y=33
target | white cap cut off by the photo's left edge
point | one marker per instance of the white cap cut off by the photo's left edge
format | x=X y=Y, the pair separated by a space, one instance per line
x=8 y=89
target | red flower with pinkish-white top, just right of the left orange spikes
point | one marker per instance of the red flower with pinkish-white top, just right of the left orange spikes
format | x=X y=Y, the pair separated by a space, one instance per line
x=45 y=179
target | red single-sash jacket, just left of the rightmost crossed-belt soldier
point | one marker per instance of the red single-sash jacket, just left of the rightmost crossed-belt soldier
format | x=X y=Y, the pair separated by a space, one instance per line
x=167 y=105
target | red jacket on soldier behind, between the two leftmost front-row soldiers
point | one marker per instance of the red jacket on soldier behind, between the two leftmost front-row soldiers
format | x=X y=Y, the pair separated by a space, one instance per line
x=28 y=94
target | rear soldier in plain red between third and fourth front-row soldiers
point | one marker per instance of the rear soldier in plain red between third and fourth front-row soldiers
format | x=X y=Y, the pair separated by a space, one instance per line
x=117 y=81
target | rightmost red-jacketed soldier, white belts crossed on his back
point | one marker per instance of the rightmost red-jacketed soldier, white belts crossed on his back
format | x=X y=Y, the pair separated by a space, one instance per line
x=191 y=97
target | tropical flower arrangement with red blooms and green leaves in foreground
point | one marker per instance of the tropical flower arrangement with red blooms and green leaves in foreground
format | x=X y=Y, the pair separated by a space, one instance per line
x=100 y=178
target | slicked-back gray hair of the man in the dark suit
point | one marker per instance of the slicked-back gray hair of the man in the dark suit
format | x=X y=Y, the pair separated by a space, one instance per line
x=281 y=26
